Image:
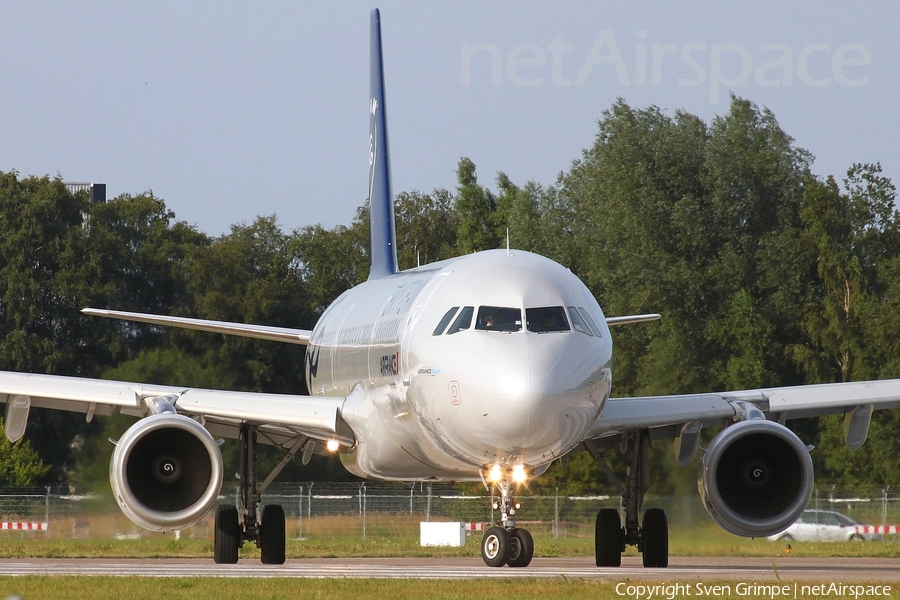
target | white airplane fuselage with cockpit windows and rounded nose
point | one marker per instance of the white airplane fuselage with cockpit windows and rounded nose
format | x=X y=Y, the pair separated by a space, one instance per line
x=520 y=382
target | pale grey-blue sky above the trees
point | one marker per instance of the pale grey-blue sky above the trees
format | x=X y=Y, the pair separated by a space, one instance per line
x=230 y=110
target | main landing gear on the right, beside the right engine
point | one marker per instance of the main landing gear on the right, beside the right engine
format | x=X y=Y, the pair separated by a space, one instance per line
x=652 y=536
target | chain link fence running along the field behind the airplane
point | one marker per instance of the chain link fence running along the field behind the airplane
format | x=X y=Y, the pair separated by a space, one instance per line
x=378 y=510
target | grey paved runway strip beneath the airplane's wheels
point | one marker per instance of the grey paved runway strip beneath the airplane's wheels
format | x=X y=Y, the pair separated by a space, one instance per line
x=785 y=569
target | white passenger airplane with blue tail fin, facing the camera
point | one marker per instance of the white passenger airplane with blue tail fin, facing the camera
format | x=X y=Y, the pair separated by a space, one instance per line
x=486 y=367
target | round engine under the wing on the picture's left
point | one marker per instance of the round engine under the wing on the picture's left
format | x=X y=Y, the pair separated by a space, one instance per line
x=166 y=472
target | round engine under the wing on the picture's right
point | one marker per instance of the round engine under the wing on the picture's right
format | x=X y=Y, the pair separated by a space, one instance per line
x=756 y=478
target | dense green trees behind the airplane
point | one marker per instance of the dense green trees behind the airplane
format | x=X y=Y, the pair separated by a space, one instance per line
x=766 y=275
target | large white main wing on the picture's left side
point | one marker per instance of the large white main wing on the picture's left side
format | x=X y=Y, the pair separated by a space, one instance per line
x=280 y=415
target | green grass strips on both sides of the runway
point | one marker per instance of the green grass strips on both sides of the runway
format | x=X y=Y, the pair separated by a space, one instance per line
x=701 y=540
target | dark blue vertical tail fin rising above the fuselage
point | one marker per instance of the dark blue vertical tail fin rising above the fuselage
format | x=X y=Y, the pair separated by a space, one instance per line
x=382 y=230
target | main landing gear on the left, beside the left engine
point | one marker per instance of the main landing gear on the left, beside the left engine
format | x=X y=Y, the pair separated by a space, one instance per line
x=267 y=529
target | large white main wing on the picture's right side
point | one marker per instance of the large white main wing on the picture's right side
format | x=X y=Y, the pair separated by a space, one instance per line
x=781 y=403
